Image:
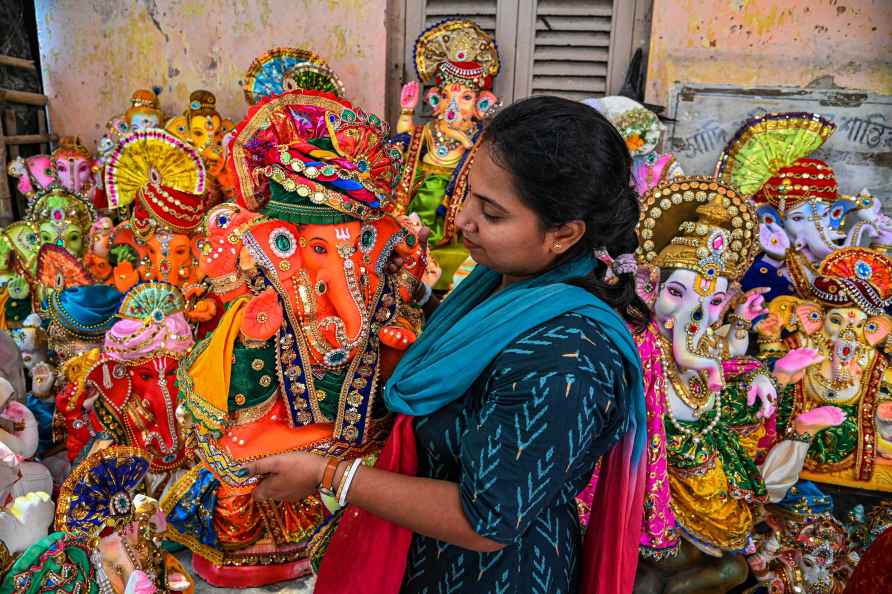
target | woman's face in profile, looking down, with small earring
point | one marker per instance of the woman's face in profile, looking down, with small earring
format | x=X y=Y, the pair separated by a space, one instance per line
x=499 y=230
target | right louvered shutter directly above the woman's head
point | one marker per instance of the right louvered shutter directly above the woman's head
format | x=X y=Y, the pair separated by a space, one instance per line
x=572 y=48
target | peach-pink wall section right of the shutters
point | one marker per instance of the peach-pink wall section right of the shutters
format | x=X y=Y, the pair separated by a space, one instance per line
x=770 y=42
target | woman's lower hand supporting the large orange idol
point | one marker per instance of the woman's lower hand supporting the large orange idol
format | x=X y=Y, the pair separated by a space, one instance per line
x=287 y=477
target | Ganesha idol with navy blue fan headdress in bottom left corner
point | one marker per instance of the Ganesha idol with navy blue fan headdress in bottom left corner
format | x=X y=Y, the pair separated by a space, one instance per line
x=107 y=536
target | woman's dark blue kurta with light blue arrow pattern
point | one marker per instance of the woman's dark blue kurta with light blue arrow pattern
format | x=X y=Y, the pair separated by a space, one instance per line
x=521 y=444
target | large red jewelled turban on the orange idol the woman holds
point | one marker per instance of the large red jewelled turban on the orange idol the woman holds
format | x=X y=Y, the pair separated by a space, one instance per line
x=311 y=157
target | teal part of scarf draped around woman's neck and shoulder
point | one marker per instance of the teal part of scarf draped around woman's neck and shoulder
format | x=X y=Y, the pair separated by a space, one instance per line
x=470 y=328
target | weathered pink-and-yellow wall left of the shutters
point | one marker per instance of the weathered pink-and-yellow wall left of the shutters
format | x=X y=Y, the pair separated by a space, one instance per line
x=94 y=53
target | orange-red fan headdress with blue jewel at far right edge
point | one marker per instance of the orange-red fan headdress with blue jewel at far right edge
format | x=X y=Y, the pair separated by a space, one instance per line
x=855 y=277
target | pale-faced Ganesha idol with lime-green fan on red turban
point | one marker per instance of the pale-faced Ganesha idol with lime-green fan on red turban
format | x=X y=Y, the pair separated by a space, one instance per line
x=802 y=214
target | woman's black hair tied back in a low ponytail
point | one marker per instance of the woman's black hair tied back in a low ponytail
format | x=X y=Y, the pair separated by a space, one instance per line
x=569 y=163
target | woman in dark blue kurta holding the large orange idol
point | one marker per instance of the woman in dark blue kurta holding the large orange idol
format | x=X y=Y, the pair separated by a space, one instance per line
x=522 y=379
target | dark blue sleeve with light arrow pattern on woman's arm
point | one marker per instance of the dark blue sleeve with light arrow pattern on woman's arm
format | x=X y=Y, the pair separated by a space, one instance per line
x=548 y=414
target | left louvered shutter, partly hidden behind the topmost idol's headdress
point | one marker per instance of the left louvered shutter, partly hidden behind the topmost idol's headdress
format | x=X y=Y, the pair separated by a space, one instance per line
x=496 y=17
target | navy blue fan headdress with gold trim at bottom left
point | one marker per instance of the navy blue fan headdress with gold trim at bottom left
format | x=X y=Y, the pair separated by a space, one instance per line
x=98 y=494
